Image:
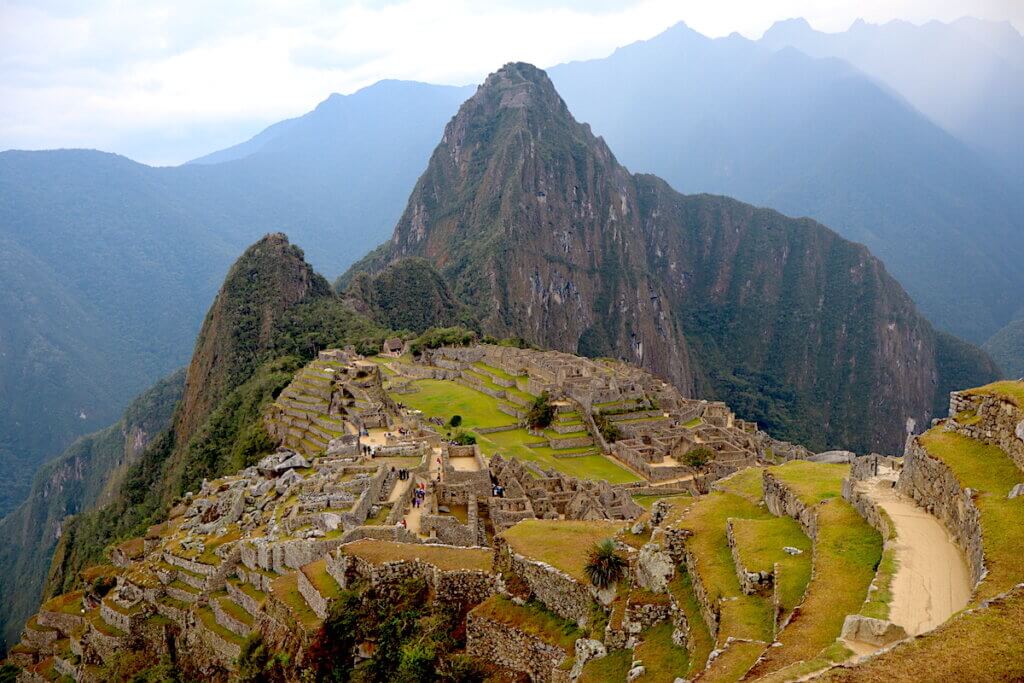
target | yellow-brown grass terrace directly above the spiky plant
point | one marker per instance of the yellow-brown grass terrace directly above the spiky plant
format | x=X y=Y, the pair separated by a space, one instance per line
x=564 y=545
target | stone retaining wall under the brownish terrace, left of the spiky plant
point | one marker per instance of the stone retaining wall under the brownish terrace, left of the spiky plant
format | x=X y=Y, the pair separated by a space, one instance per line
x=553 y=588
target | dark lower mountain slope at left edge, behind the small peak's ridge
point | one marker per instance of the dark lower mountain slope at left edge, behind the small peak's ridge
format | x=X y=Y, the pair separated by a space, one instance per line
x=81 y=479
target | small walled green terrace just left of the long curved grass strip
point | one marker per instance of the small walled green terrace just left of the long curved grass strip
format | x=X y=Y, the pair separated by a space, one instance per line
x=760 y=543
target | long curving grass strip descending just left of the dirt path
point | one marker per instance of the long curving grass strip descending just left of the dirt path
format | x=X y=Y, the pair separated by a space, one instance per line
x=846 y=553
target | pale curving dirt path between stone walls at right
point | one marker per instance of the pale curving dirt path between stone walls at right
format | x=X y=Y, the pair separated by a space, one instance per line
x=932 y=580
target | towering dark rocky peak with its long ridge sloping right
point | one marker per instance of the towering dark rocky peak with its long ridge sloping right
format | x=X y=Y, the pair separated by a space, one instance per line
x=546 y=236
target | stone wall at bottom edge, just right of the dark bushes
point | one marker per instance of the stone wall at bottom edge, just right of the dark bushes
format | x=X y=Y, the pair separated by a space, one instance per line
x=511 y=649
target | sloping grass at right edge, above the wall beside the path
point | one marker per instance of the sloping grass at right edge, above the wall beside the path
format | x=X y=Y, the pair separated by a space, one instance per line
x=990 y=472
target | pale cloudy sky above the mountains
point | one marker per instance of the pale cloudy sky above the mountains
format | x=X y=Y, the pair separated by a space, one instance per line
x=169 y=80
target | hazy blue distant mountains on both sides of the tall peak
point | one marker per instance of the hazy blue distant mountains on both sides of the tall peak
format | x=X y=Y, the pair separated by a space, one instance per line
x=109 y=265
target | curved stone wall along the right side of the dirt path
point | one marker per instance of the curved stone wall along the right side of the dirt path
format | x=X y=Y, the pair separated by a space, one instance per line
x=930 y=483
